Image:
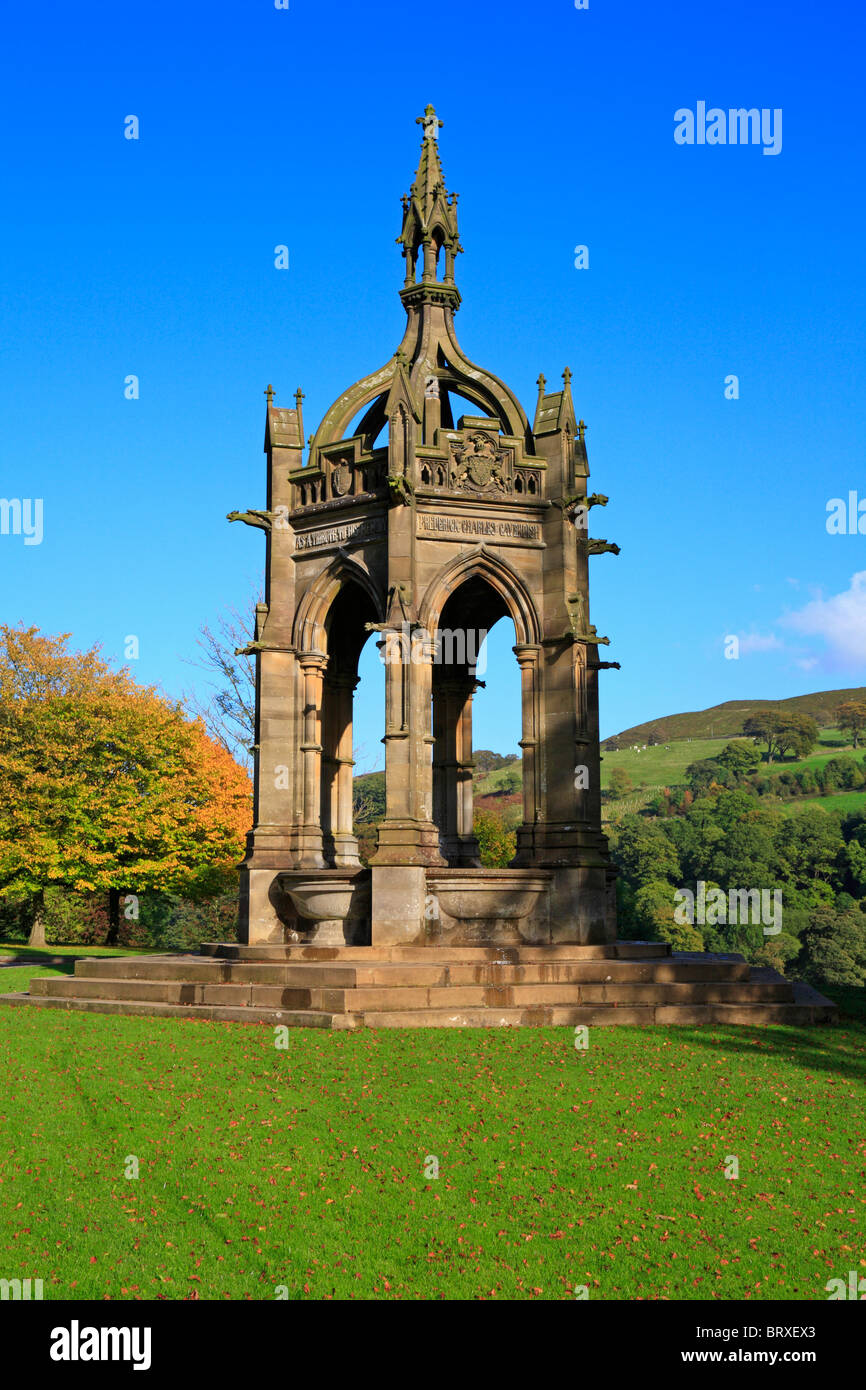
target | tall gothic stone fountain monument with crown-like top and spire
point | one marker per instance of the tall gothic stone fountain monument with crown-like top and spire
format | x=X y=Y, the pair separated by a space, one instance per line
x=450 y=525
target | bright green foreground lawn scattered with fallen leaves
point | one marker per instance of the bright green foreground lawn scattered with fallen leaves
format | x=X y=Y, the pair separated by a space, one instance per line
x=305 y=1168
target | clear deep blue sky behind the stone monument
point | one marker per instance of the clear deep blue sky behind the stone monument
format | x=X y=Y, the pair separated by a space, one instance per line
x=262 y=127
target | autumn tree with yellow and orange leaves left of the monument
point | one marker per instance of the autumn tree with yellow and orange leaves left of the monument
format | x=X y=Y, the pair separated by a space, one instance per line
x=106 y=785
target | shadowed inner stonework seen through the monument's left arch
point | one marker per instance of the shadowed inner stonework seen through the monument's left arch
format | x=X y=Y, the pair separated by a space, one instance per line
x=345 y=637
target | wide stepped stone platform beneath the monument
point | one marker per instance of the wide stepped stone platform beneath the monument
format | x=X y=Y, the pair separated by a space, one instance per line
x=411 y=988
